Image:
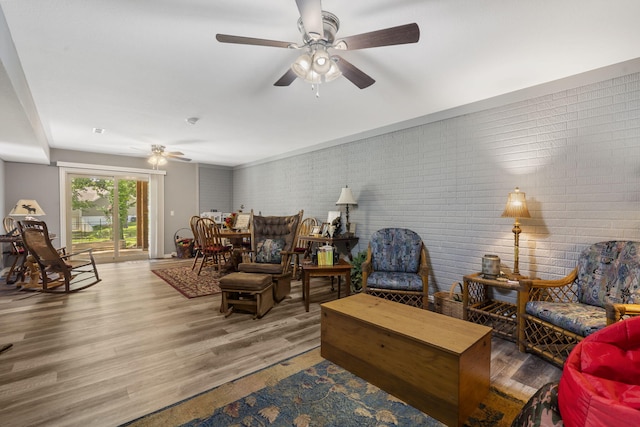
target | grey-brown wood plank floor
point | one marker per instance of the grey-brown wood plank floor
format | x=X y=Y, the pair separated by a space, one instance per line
x=132 y=344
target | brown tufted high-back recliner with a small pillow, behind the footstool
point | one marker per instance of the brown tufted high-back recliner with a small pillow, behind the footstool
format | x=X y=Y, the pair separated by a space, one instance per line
x=272 y=241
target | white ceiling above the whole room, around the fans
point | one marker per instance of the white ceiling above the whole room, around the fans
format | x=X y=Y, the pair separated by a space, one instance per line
x=139 y=68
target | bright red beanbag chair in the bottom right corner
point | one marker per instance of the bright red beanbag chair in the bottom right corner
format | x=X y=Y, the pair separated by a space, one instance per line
x=600 y=383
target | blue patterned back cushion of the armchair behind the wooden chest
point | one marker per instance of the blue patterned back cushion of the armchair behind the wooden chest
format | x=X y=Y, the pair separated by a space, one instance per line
x=396 y=250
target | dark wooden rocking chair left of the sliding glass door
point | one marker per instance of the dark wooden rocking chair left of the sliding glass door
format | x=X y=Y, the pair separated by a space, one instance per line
x=73 y=271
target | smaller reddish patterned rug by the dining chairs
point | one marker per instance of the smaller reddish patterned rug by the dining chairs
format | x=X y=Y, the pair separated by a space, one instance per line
x=188 y=283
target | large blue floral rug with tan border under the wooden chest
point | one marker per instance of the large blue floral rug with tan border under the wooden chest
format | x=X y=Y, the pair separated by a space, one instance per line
x=308 y=390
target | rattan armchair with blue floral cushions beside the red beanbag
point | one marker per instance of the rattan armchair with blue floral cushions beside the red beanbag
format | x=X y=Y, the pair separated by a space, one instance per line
x=604 y=288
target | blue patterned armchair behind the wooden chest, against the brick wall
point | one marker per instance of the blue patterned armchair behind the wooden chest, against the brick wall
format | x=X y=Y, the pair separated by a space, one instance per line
x=396 y=267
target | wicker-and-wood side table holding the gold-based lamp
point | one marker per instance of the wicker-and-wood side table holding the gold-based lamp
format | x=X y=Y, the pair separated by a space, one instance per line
x=479 y=308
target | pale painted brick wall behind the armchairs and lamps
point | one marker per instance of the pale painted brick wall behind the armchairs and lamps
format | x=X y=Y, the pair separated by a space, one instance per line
x=574 y=152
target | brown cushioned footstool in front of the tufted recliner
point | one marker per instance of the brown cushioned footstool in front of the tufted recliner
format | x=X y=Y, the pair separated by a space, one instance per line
x=246 y=292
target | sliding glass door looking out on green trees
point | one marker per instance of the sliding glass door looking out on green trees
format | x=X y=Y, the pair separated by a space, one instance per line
x=109 y=214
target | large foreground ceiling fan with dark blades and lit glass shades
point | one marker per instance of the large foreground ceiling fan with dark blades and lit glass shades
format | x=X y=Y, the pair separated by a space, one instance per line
x=318 y=64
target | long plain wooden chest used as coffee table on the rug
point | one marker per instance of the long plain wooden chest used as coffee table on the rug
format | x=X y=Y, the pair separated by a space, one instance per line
x=435 y=363
